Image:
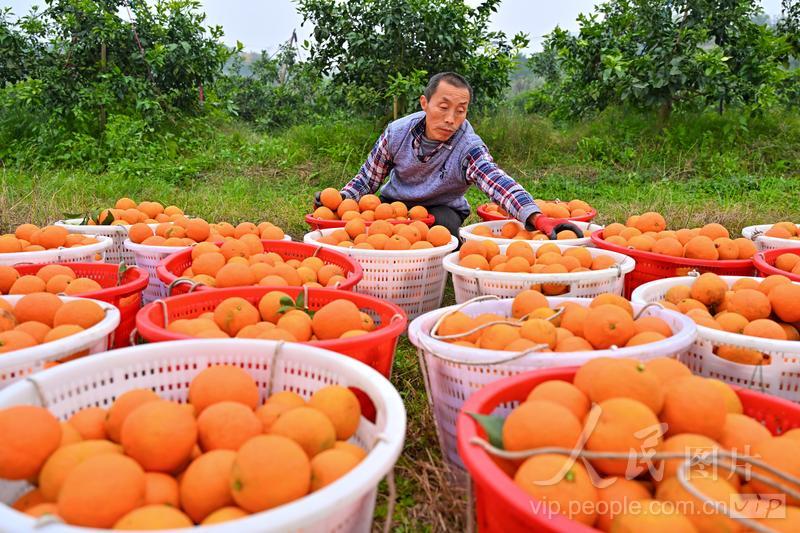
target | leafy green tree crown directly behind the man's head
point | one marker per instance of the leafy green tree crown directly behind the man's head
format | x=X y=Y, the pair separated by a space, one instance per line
x=367 y=46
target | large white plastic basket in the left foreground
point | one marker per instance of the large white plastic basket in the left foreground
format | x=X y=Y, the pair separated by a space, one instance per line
x=168 y=368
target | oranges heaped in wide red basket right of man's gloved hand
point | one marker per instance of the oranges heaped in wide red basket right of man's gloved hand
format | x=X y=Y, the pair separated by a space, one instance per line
x=648 y=233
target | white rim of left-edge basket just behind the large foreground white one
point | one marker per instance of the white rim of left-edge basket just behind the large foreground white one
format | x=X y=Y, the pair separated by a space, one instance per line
x=65 y=345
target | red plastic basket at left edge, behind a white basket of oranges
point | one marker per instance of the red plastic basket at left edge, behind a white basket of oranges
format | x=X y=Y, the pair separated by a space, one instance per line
x=125 y=293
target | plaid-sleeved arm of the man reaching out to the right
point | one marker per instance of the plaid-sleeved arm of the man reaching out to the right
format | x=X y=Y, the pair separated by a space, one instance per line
x=500 y=187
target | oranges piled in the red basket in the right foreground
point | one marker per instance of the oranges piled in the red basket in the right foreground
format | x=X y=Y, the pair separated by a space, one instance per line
x=619 y=404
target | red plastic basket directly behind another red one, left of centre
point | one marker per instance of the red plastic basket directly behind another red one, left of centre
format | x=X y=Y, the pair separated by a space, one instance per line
x=174 y=265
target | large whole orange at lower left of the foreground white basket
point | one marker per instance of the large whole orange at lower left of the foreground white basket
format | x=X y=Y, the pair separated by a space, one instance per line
x=101 y=490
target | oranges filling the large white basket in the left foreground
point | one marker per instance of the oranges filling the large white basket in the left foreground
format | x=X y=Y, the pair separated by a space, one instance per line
x=148 y=463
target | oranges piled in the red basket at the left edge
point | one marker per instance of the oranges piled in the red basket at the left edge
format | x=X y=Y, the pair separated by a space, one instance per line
x=55 y=279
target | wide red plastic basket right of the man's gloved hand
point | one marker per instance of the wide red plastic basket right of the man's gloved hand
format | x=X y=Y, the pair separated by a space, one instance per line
x=650 y=266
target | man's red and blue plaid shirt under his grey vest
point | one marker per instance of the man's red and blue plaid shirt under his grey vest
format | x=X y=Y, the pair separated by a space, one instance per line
x=478 y=166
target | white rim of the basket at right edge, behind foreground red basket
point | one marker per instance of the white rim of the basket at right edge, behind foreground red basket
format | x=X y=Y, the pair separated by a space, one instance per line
x=640 y=296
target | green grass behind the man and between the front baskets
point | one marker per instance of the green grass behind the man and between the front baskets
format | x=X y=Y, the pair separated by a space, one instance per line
x=702 y=169
